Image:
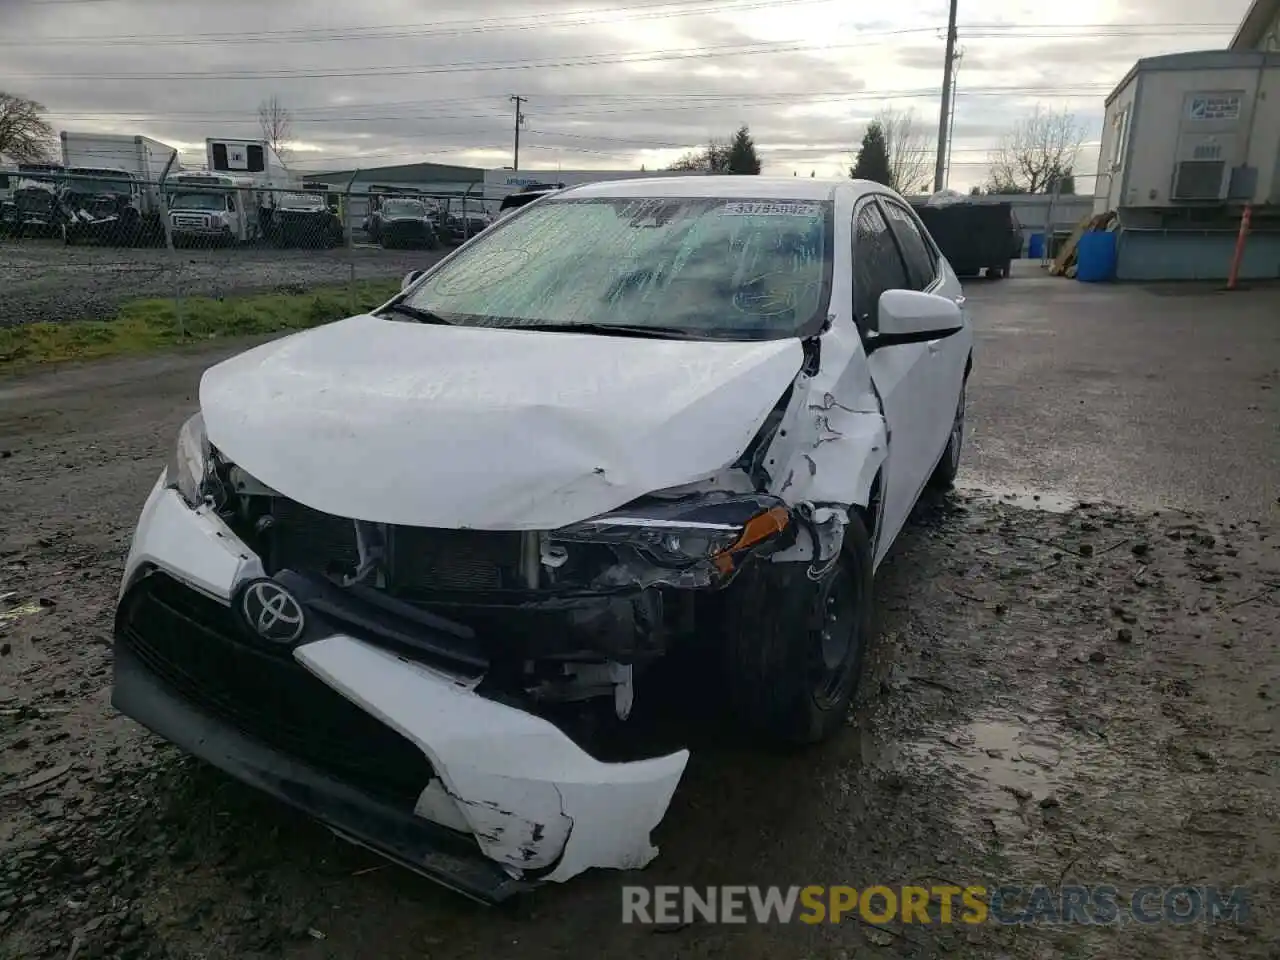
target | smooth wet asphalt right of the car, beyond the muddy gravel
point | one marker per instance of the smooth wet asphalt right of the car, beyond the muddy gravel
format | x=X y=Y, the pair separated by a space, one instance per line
x=1146 y=396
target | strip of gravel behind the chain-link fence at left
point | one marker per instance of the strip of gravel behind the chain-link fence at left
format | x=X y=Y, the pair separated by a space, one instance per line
x=48 y=281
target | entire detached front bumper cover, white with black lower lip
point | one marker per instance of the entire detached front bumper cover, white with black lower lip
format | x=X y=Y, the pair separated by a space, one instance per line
x=508 y=785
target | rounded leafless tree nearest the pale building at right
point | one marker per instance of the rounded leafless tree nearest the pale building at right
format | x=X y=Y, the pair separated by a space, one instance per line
x=1037 y=153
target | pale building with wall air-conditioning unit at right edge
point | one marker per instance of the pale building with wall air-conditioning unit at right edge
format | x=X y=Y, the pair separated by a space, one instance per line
x=1190 y=141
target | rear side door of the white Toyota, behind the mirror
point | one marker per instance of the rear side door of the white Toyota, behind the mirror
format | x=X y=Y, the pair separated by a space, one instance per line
x=945 y=356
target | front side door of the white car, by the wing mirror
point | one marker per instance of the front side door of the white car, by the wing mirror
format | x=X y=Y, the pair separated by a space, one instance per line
x=900 y=374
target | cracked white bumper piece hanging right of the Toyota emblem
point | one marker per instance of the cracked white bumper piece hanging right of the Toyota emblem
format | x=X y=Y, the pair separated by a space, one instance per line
x=531 y=796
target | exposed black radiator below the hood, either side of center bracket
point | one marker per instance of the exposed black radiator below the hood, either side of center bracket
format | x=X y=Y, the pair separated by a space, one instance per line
x=423 y=560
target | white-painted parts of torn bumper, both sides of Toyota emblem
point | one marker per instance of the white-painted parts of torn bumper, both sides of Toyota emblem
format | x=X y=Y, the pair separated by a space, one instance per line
x=532 y=798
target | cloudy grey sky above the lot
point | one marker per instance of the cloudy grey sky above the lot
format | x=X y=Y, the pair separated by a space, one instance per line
x=610 y=84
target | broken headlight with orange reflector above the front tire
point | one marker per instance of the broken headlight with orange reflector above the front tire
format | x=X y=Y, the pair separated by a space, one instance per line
x=685 y=533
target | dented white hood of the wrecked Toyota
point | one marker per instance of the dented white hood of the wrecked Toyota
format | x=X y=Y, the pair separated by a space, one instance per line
x=454 y=427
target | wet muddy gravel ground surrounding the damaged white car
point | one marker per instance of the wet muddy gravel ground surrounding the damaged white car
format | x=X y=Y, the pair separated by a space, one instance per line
x=1060 y=693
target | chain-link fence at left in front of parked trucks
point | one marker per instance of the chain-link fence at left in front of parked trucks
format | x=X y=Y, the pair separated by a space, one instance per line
x=98 y=248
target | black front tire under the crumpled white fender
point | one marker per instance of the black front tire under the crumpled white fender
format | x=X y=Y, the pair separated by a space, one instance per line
x=792 y=678
